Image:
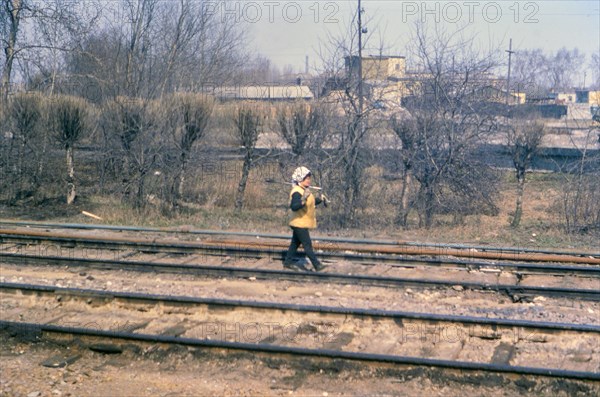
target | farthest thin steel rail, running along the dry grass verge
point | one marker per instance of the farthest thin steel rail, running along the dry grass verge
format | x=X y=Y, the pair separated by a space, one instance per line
x=286 y=237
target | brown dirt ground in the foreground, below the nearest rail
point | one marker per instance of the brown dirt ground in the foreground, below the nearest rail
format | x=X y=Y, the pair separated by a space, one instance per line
x=154 y=370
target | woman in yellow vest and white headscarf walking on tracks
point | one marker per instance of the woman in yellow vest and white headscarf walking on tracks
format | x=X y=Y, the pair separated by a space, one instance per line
x=302 y=204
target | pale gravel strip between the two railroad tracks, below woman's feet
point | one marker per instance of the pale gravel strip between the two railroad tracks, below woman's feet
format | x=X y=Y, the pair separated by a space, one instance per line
x=444 y=301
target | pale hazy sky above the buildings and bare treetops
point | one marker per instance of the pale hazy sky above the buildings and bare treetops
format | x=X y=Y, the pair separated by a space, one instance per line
x=287 y=31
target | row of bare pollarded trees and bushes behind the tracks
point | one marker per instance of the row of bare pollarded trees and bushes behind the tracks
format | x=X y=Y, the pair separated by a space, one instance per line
x=186 y=150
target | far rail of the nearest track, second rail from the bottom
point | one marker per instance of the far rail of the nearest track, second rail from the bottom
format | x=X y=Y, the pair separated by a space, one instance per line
x=378 y=313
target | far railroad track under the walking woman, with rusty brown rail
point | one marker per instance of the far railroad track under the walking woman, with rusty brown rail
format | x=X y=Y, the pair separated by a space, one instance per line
x=66 y=245
